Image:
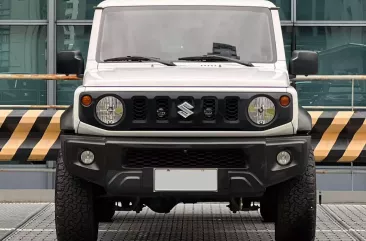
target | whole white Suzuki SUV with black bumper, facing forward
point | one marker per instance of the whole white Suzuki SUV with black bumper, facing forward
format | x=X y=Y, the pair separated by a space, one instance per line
x=186 y=101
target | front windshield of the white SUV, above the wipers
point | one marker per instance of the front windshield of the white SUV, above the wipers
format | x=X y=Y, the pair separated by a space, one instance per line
x=173 y=32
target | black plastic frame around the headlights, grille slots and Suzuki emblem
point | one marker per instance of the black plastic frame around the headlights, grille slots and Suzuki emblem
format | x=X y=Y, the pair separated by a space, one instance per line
x=196 y=121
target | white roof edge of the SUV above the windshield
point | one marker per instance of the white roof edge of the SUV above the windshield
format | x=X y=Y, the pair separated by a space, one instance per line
x=239 y=3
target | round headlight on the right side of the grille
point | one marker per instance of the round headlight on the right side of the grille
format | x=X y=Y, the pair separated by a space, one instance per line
x=261 y=110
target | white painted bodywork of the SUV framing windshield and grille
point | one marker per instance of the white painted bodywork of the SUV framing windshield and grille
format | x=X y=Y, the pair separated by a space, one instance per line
x=187 y=76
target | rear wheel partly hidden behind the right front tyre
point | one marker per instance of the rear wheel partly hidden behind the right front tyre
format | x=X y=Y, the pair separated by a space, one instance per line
x=268 y=205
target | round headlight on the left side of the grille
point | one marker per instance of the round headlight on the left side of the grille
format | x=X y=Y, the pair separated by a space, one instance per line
x=109 y=110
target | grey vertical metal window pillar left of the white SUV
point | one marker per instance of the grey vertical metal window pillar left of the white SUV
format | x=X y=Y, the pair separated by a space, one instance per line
x=51 y=50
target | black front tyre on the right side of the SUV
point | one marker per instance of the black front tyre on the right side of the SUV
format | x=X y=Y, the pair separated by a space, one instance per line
x=296 y=213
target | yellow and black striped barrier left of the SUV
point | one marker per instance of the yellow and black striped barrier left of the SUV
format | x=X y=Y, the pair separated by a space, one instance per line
x=29 y=135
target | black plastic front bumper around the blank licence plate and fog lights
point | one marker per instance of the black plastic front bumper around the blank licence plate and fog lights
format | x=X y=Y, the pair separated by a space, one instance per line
x=258 y=170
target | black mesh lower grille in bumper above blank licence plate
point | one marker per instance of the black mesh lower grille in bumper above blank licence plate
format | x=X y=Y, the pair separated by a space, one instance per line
x=184 y=158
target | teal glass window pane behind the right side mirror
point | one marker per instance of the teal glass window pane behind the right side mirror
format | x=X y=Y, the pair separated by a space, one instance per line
x=342 y=50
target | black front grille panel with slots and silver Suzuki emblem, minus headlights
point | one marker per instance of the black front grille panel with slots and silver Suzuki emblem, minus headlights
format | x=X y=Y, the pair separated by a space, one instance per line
x=167 y=111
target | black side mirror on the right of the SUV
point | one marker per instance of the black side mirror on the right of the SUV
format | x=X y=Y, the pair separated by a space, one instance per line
x=304 y=63
